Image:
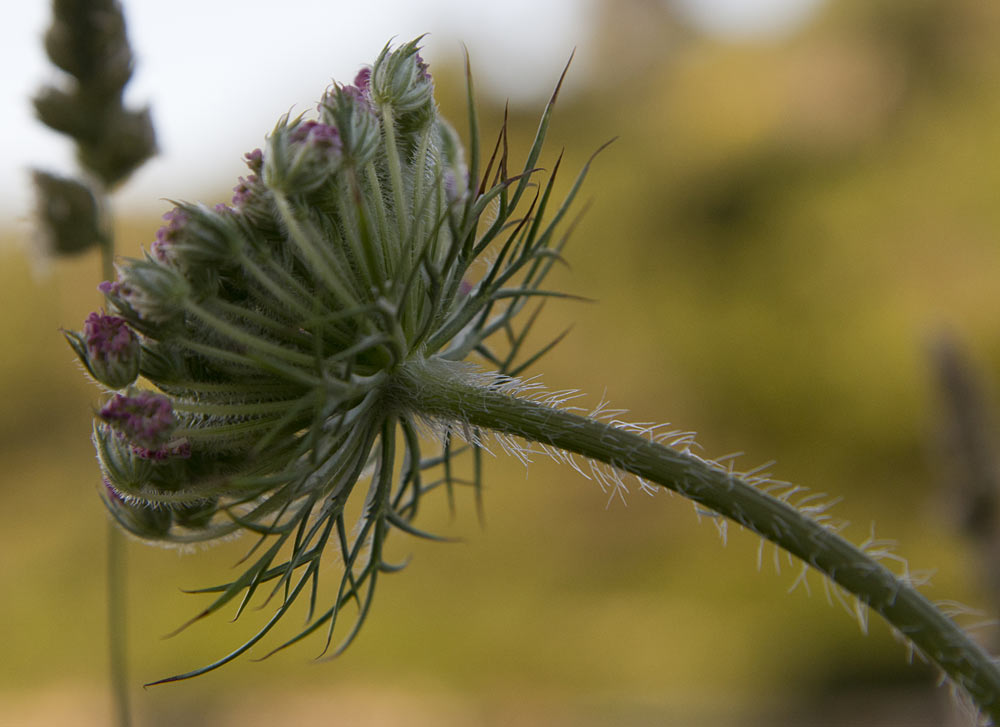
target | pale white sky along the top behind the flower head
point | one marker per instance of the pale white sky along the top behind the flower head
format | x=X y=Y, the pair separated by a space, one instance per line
x=218 y=73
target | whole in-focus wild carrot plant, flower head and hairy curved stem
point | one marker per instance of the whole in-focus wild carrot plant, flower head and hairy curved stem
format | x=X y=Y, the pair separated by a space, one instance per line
x=312 y=337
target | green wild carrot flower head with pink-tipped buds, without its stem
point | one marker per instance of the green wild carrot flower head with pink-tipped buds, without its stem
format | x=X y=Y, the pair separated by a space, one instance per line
x=278 y=331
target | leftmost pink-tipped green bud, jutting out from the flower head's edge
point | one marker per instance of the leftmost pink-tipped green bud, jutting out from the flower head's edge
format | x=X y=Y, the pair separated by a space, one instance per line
x=108 y=349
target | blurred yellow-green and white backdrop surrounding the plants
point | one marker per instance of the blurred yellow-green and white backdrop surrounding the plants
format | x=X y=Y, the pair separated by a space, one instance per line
x=800 y=206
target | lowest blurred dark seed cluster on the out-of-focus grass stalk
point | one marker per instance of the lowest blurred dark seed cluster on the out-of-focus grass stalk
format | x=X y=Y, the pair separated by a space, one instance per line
x=67 y=212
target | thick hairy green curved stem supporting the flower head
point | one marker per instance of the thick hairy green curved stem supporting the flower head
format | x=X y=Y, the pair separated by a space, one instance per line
x=436 y=390
